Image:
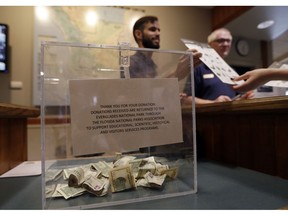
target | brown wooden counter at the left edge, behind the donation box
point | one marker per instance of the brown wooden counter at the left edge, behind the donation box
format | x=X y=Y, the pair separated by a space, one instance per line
x=13 y=134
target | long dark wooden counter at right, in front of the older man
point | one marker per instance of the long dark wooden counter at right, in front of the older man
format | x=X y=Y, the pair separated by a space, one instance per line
x=251 y=133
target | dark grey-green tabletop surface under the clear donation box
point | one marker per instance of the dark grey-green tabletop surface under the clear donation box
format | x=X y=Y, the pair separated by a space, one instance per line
x=220 y=187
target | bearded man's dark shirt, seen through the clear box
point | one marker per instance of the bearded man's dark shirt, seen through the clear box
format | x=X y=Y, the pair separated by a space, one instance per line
x=142 y=66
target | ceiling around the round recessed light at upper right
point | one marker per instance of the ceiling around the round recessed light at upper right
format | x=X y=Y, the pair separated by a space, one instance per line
x=246 y=26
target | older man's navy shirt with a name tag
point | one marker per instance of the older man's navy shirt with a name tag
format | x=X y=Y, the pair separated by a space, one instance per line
x=208 y=85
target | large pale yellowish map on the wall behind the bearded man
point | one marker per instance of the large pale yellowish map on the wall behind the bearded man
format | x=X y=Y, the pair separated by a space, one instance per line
x=79 y=25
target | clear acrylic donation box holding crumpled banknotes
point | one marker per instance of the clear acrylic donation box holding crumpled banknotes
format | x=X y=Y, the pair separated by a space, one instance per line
x=112 y=125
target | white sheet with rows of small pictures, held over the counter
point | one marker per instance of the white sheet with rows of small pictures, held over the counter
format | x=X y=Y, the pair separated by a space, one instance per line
x=214 y=61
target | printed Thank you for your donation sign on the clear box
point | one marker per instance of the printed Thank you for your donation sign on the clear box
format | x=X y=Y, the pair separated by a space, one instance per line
x=124 y=114
